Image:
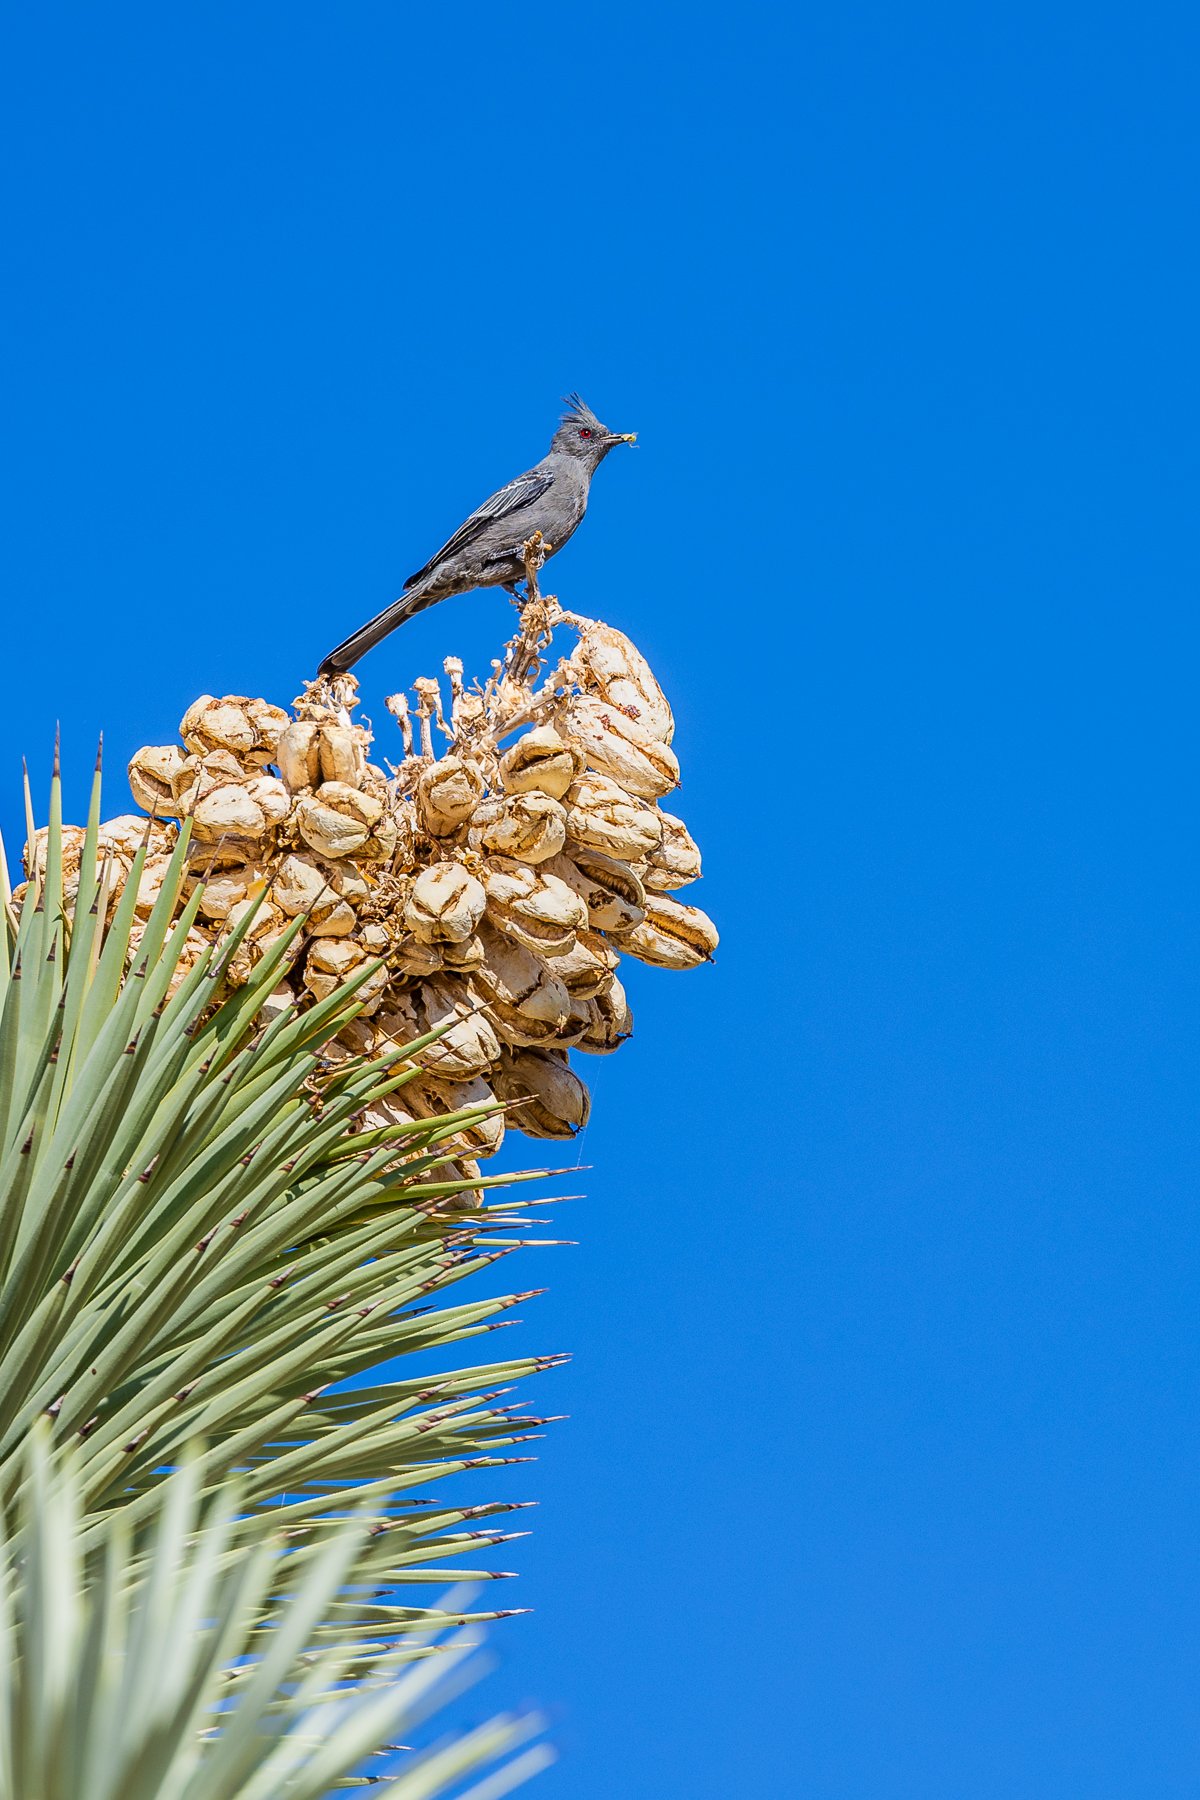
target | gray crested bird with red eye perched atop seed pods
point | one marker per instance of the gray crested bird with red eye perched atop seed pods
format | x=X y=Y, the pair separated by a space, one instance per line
x=487 y=552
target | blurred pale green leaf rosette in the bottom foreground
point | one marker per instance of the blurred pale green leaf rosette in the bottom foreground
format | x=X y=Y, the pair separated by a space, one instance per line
x=139 y=1668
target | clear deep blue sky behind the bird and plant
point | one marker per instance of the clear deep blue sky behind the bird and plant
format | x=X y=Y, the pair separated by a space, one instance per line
x=881 y=1480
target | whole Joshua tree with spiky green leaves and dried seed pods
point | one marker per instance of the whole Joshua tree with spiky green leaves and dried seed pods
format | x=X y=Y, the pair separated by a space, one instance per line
x=253 y=1048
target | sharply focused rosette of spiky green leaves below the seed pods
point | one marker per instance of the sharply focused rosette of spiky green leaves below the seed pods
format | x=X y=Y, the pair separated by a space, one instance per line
x=197 y=1246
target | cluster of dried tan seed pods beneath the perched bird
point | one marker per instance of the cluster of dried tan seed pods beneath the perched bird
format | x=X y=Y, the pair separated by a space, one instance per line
x=490 y=890
